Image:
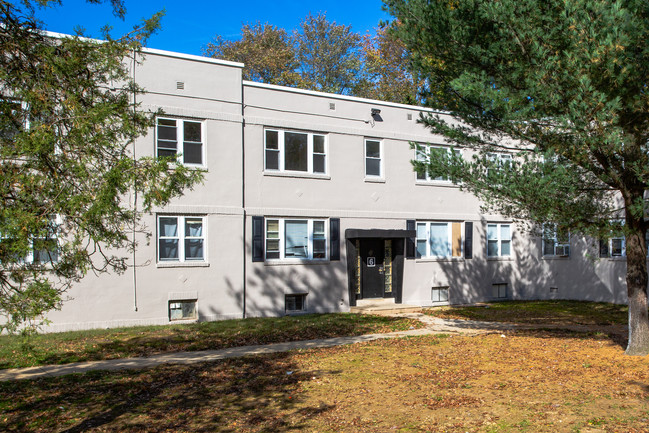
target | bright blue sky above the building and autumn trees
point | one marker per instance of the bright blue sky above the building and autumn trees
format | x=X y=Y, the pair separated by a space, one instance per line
x=189 y=25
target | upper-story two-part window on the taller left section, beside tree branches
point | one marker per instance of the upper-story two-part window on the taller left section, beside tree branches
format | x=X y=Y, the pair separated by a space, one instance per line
x=176 y=136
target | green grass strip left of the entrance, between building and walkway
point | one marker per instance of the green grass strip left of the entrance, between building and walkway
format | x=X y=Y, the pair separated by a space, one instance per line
x=66 y=347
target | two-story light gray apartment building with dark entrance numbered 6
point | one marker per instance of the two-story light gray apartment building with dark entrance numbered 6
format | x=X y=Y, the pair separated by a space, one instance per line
x=310 y=204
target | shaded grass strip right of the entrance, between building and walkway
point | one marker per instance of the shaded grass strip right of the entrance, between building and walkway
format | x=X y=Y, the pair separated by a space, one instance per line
x=539 y=312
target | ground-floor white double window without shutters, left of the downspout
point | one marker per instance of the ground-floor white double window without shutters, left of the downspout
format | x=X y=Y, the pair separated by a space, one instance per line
x=181 y=238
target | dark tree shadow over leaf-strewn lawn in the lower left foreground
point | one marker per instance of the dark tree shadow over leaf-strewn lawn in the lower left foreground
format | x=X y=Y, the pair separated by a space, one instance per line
x=257 y=394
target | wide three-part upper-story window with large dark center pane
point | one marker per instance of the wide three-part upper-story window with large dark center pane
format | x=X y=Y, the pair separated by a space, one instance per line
x=295 y=151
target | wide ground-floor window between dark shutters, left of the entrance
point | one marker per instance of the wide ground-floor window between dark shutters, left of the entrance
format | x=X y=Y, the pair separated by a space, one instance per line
x=304 y=239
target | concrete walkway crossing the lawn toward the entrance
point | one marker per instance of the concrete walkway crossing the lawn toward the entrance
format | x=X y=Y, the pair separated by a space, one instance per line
x=433 y=325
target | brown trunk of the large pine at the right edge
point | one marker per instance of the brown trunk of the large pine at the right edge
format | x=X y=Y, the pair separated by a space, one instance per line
x=636 y=282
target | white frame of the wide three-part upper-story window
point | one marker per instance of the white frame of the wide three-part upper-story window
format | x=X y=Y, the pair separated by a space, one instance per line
x=281 y=151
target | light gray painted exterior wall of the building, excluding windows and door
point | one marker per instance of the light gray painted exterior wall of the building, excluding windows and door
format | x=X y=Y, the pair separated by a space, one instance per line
x=237 y=187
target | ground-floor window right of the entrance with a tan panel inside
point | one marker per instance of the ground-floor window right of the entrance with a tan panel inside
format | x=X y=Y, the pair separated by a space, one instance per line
x=439 y=239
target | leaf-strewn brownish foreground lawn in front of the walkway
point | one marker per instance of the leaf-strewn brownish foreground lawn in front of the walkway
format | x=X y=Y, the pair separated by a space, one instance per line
x=524 y=381
